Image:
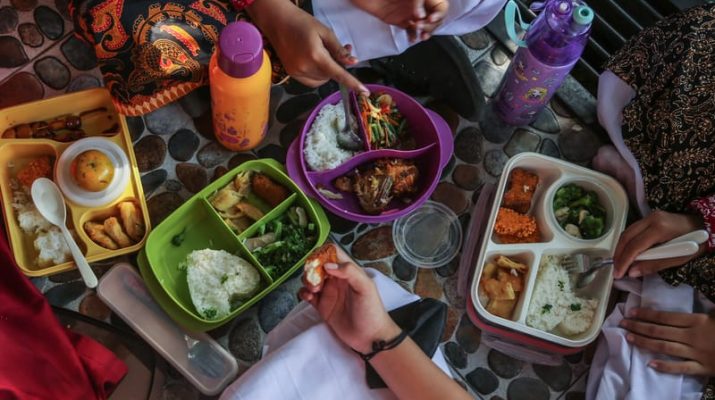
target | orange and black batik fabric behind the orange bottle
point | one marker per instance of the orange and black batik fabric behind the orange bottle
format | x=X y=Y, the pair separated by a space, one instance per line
x=154 y=52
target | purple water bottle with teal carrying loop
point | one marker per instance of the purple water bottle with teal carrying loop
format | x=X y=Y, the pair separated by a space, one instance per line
x=553 y=44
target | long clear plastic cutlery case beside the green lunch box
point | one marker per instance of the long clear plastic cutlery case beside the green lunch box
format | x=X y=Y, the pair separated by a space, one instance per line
x=197 y=356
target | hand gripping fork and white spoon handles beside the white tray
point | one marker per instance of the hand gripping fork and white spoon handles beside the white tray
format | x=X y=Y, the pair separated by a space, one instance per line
x=656 y=228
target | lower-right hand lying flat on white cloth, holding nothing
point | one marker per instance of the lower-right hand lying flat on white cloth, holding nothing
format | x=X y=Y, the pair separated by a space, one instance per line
x=688 y=336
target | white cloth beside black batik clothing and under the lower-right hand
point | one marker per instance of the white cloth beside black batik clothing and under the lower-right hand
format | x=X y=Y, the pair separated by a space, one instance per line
x=619 y=370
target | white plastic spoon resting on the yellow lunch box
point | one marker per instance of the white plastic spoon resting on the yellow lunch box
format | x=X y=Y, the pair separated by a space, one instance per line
x=50 y=203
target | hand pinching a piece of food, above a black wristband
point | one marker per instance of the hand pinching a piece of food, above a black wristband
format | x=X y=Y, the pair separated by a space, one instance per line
x=349 y=303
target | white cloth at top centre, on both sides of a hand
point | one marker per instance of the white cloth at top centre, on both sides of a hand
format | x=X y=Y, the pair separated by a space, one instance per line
x=371 y=38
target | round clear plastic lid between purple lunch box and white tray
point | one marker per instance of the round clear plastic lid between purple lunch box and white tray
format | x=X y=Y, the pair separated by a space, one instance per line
x=428 y=237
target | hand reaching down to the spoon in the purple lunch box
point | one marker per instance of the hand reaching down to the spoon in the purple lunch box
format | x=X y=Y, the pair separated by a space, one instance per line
x=309 y=51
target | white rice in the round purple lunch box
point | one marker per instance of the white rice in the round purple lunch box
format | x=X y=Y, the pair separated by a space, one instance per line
x=321 y=148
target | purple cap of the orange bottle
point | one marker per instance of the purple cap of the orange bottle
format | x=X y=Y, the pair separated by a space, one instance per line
x=240 y=49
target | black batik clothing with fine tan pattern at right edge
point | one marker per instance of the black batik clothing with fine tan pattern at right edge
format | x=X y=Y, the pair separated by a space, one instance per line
x=670 y=124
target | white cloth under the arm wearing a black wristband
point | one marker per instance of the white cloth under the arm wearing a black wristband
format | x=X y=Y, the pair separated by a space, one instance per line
x=302 y=359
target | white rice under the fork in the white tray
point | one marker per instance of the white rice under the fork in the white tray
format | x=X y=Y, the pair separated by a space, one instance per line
x=554 y=306
